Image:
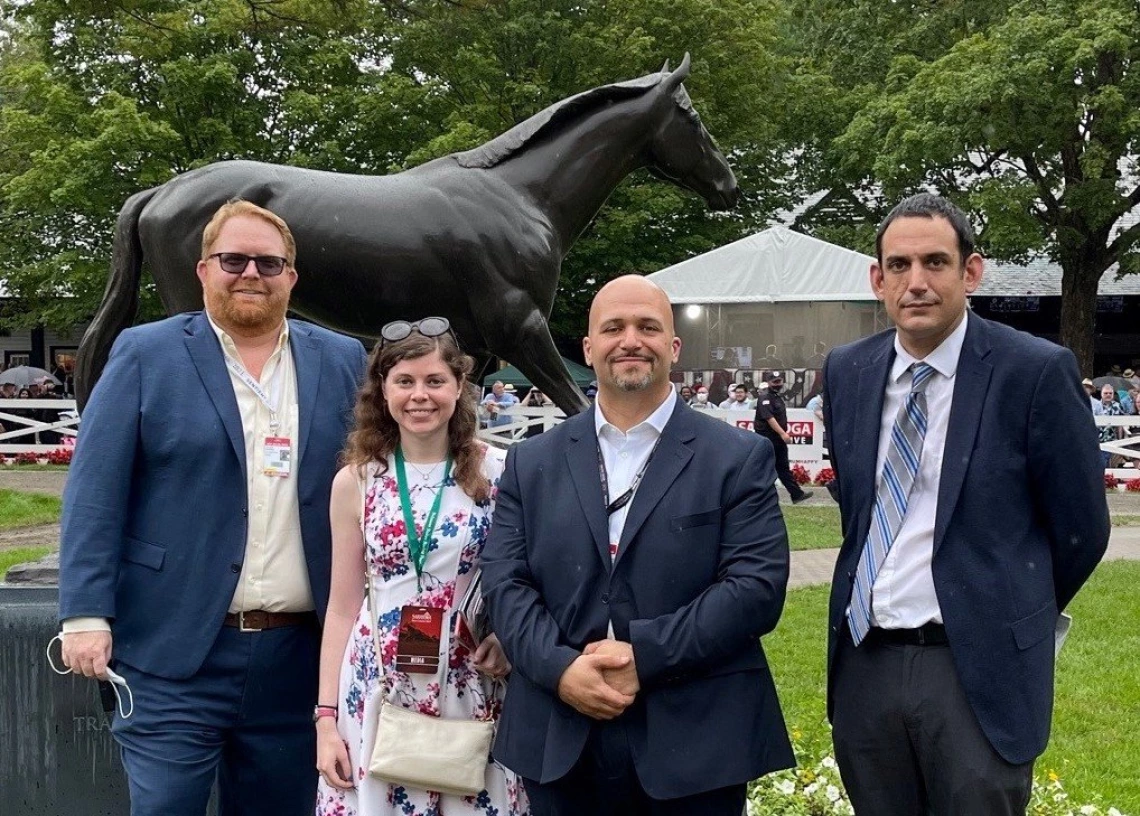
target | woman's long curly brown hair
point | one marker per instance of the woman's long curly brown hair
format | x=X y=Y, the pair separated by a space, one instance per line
x=377 y=434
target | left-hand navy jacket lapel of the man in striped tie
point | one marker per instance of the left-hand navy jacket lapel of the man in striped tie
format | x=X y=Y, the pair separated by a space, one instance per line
x=873 y=388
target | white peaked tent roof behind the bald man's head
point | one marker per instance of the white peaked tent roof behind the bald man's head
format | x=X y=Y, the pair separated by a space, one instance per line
x=773 y=266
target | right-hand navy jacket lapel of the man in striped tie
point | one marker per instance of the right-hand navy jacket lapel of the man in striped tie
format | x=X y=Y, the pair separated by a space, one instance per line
x=972 y=381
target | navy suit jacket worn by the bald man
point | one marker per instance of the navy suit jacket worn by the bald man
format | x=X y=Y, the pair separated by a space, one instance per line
x=701 y=575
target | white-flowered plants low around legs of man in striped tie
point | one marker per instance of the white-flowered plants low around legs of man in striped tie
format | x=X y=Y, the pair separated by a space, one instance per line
x=816 y=789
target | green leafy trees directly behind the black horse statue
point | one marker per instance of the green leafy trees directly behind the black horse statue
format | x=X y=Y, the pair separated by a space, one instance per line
x=100 y=101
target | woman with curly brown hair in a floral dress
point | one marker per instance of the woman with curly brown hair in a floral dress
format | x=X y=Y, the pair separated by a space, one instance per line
x=416 y=402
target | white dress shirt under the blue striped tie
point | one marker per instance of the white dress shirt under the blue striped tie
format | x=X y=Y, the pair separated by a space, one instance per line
x=903 y=597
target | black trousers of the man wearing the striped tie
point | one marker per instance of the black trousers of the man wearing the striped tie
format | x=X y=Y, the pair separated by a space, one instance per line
x=908 y=742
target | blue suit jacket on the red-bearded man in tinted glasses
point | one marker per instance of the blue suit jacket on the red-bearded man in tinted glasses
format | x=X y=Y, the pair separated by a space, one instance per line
x=156 y=517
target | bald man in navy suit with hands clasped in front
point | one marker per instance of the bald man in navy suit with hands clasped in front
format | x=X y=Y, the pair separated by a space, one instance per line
x=638 y=556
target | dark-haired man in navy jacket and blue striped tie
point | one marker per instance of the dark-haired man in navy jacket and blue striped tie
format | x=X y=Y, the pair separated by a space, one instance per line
x=973 y=512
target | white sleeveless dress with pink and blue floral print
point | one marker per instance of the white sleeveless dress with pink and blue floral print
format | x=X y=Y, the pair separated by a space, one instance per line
x=454 y=550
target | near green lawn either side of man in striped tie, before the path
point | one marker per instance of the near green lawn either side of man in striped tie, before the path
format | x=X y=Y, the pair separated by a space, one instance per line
x=1096 y=737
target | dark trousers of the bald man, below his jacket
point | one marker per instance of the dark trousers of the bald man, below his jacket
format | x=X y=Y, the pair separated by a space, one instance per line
x=605 y=784
